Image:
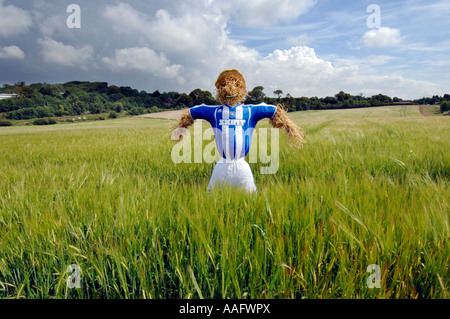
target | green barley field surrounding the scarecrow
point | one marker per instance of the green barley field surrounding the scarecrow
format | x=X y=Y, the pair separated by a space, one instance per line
x=371 y=187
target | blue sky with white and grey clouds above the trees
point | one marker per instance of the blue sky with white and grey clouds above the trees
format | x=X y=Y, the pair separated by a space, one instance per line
x=303 y=47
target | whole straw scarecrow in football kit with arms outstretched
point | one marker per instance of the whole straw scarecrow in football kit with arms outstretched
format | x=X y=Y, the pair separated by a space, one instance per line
x=233 y=124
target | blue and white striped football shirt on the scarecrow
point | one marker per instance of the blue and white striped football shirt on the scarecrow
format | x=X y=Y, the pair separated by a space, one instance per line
x=233 y=126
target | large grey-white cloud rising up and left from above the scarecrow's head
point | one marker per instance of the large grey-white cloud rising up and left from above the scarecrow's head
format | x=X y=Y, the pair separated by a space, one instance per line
x=195 y=37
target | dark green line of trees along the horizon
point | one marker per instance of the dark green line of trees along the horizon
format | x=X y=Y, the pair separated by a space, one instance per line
x=42 y=100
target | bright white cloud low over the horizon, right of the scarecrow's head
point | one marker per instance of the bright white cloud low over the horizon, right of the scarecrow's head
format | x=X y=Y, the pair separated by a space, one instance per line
x=300 y=72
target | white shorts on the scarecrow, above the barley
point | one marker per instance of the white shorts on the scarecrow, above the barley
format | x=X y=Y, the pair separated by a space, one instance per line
x=236 y=173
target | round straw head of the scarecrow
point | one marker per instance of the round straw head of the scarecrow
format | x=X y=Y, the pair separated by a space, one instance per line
x=231 y=87
